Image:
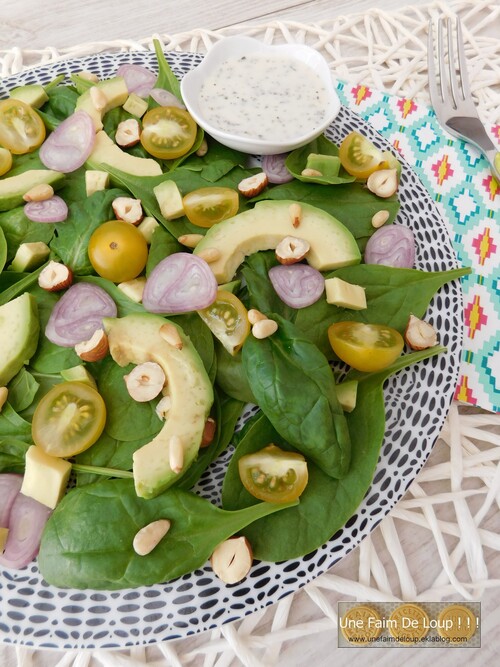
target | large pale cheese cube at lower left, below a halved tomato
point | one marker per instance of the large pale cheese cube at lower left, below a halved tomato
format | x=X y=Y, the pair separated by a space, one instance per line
x=46 y=477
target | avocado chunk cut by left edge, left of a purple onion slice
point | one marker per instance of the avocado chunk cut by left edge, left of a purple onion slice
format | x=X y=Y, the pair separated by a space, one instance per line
x=19 y=330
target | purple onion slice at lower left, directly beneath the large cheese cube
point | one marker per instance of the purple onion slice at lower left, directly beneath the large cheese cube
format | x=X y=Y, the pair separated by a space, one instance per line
x=26 y=523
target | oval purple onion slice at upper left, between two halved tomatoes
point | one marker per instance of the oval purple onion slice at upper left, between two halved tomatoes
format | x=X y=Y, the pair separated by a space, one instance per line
x=69 y=145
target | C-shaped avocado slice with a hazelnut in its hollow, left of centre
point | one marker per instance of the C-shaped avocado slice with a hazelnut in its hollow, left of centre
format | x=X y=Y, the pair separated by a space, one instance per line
x=136 y=339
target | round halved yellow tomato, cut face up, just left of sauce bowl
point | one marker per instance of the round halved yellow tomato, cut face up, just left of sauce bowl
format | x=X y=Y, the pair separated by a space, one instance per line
x=168 y=132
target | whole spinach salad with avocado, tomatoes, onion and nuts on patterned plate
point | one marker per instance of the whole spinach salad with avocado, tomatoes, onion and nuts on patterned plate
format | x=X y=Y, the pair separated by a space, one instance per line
x=152 y=285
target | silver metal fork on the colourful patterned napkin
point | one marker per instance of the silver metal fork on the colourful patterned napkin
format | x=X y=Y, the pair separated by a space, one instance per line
x=450 y=93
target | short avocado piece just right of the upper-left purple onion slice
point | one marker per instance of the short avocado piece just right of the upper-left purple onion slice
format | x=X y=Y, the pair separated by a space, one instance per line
x=107 y=153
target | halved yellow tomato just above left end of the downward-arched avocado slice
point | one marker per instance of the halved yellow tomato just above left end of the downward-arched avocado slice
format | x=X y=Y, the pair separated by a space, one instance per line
x=207 y=206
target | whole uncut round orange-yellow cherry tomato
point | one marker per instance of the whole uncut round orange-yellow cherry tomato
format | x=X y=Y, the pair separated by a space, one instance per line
x=118 y=251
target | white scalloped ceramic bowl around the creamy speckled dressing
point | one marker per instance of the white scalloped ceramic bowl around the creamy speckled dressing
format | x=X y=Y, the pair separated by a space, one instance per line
x=235 y=47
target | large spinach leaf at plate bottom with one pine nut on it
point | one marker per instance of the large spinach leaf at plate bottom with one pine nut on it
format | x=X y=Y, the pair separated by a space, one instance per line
x=96 y=552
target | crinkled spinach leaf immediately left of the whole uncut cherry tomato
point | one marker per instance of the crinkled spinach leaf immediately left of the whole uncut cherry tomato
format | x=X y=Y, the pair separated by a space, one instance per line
x=74 y=233
